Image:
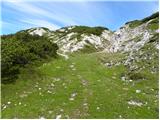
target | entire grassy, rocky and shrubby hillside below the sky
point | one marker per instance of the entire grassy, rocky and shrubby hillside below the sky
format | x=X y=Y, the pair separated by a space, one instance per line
x=82 y=72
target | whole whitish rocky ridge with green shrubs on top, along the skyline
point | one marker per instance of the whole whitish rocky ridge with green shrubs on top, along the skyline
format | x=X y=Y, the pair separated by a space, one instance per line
x=131 y=37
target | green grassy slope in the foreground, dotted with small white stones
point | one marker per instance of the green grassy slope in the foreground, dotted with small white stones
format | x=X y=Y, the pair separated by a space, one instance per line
x=45 y=91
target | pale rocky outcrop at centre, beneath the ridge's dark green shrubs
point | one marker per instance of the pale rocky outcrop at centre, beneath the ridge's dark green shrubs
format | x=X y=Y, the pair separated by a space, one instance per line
x=74 y=41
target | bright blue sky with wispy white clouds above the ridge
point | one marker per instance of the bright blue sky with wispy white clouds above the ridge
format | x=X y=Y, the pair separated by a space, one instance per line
x=22 y=14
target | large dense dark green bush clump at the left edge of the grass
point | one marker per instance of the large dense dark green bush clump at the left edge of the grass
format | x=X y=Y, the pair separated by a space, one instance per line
x=21 y=49
